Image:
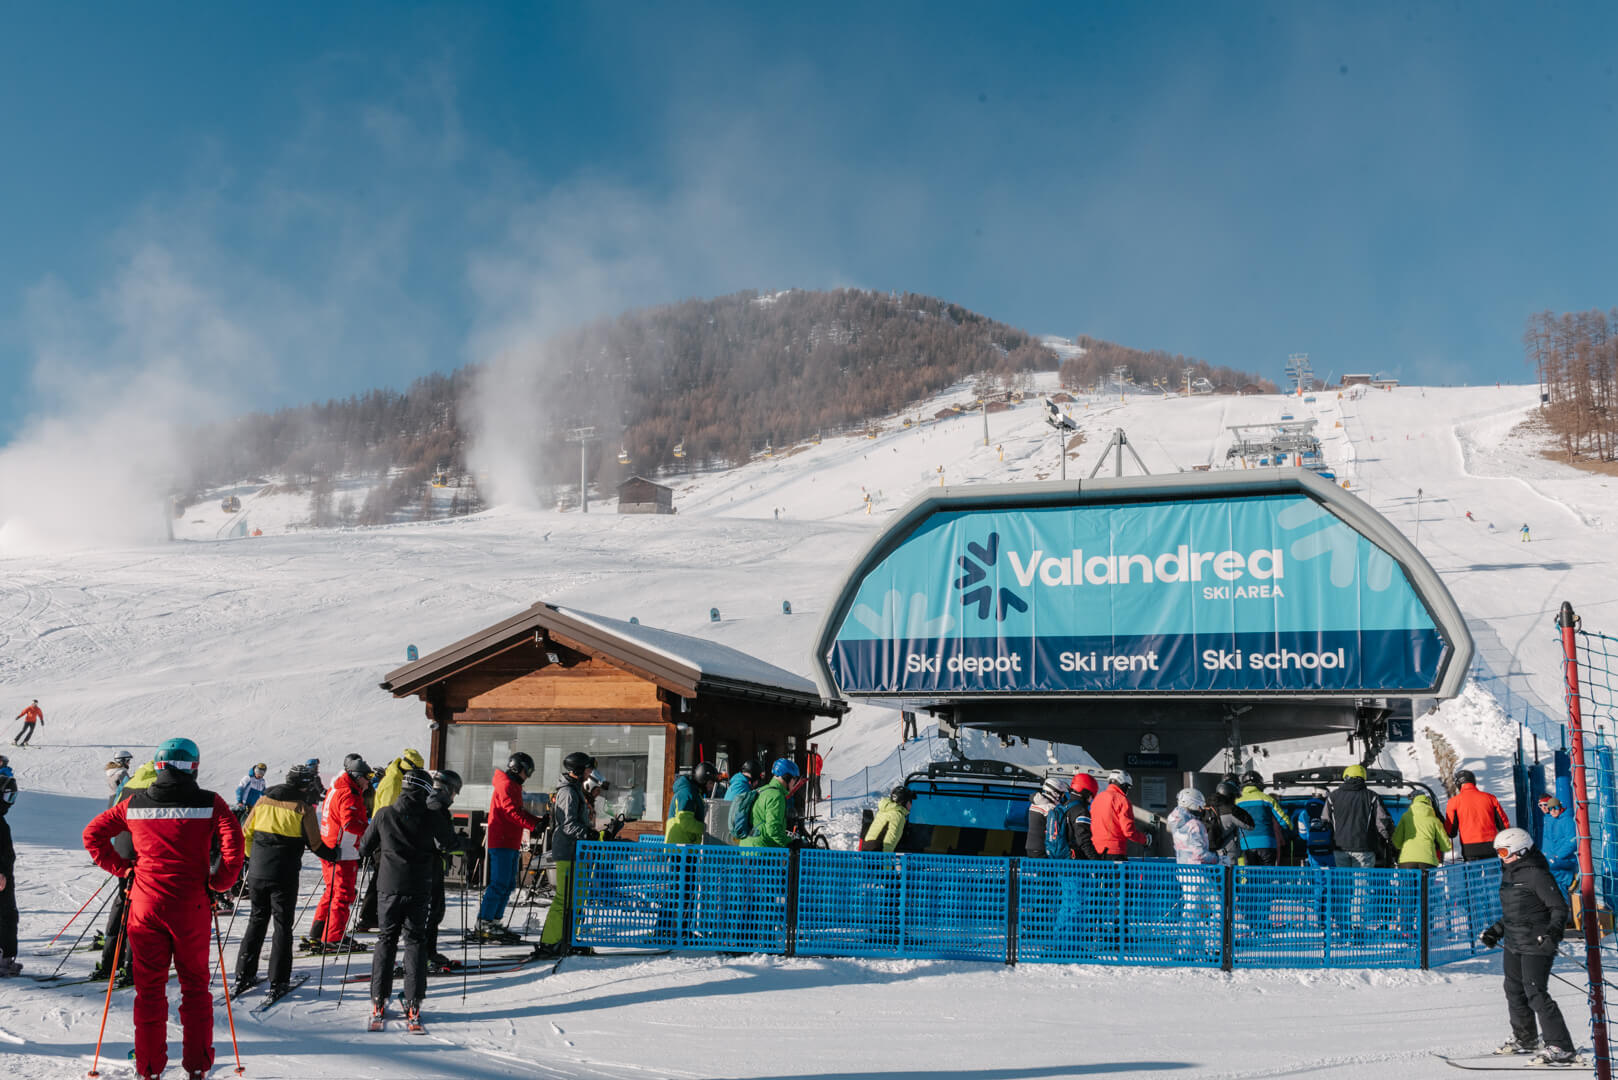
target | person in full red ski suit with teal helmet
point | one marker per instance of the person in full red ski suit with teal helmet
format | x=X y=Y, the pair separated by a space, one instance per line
x=172 y=827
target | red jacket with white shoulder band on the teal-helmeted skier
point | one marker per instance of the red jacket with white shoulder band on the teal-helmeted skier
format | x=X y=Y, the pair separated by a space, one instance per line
x=172 y=827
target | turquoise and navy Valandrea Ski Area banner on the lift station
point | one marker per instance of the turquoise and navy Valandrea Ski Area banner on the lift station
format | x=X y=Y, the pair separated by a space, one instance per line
x=1250 y=593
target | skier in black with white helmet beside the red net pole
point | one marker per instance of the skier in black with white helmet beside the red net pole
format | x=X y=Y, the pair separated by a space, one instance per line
x=1533 y=919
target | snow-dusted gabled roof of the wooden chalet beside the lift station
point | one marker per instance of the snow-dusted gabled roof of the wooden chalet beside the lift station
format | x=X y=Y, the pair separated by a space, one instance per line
x=679 y=661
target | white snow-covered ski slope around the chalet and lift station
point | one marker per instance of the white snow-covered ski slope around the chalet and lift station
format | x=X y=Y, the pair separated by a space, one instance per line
x=271 y=648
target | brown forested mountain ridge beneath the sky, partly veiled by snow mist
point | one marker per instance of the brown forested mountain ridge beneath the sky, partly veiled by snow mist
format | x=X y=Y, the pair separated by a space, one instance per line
x=724 y=378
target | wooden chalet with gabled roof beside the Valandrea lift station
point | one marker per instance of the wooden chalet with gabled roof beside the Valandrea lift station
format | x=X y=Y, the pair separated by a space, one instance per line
x=646 y=704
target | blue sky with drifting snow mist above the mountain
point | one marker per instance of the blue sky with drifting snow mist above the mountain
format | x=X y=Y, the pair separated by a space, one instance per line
x=269 y=205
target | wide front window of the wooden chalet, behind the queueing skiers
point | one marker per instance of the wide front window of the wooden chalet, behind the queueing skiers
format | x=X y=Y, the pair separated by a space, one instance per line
x=630 y=755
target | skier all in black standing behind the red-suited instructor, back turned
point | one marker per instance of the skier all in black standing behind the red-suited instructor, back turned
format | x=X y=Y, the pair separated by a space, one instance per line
x=409 y=841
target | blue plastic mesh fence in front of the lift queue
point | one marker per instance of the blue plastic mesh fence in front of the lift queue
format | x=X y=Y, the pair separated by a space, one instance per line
x=1154 y=912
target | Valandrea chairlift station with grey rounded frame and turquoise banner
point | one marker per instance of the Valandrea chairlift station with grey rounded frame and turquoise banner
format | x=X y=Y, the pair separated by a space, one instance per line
x=1151 y=621
